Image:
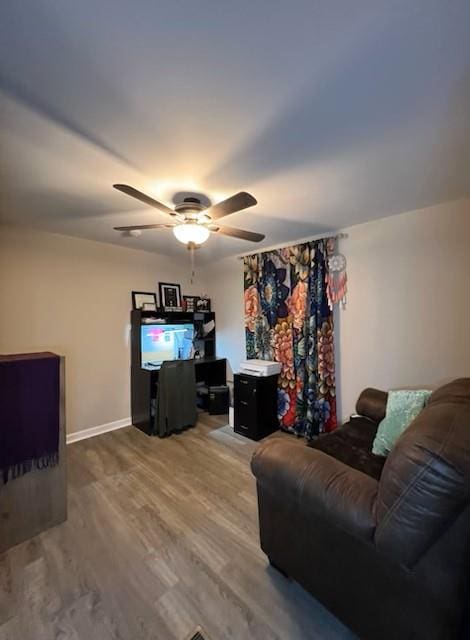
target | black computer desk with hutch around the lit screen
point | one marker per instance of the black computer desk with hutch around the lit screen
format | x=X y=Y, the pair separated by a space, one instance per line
x=209 y=369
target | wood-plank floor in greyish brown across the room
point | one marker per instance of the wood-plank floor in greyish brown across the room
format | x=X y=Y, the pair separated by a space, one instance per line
x=162 y=535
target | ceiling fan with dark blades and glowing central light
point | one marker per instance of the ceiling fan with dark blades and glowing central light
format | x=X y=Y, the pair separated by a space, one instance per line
x=192 y=221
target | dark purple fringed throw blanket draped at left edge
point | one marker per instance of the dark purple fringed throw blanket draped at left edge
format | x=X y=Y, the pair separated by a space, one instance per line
x=29 y=413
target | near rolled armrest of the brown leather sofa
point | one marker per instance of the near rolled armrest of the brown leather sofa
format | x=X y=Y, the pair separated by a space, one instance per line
x=318 y=483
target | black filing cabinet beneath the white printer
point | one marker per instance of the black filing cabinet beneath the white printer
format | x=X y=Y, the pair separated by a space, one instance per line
x=255 y=405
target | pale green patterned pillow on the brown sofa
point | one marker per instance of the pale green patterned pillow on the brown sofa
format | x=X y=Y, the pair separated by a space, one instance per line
x=402 y=408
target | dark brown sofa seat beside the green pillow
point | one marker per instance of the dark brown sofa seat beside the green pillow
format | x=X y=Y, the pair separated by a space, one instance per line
x=352 y=445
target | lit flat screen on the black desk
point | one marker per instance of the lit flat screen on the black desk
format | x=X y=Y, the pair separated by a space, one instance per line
x=160 y=342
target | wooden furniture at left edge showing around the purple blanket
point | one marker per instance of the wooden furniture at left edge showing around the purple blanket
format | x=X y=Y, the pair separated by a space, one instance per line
x=37 y=500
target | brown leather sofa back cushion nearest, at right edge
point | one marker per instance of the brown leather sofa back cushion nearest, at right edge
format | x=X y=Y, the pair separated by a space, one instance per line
x=425 y=482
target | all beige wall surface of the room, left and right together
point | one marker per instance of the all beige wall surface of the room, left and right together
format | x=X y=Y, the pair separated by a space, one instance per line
x=406 y=321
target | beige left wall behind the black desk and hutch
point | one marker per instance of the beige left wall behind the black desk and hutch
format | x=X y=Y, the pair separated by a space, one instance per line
x=72 y=296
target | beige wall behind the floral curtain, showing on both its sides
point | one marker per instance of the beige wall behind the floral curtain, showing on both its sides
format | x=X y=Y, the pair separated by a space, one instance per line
x=408 y=312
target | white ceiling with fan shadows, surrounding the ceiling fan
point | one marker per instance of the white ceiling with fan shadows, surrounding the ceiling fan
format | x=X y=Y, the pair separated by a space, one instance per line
x=330 y=112
